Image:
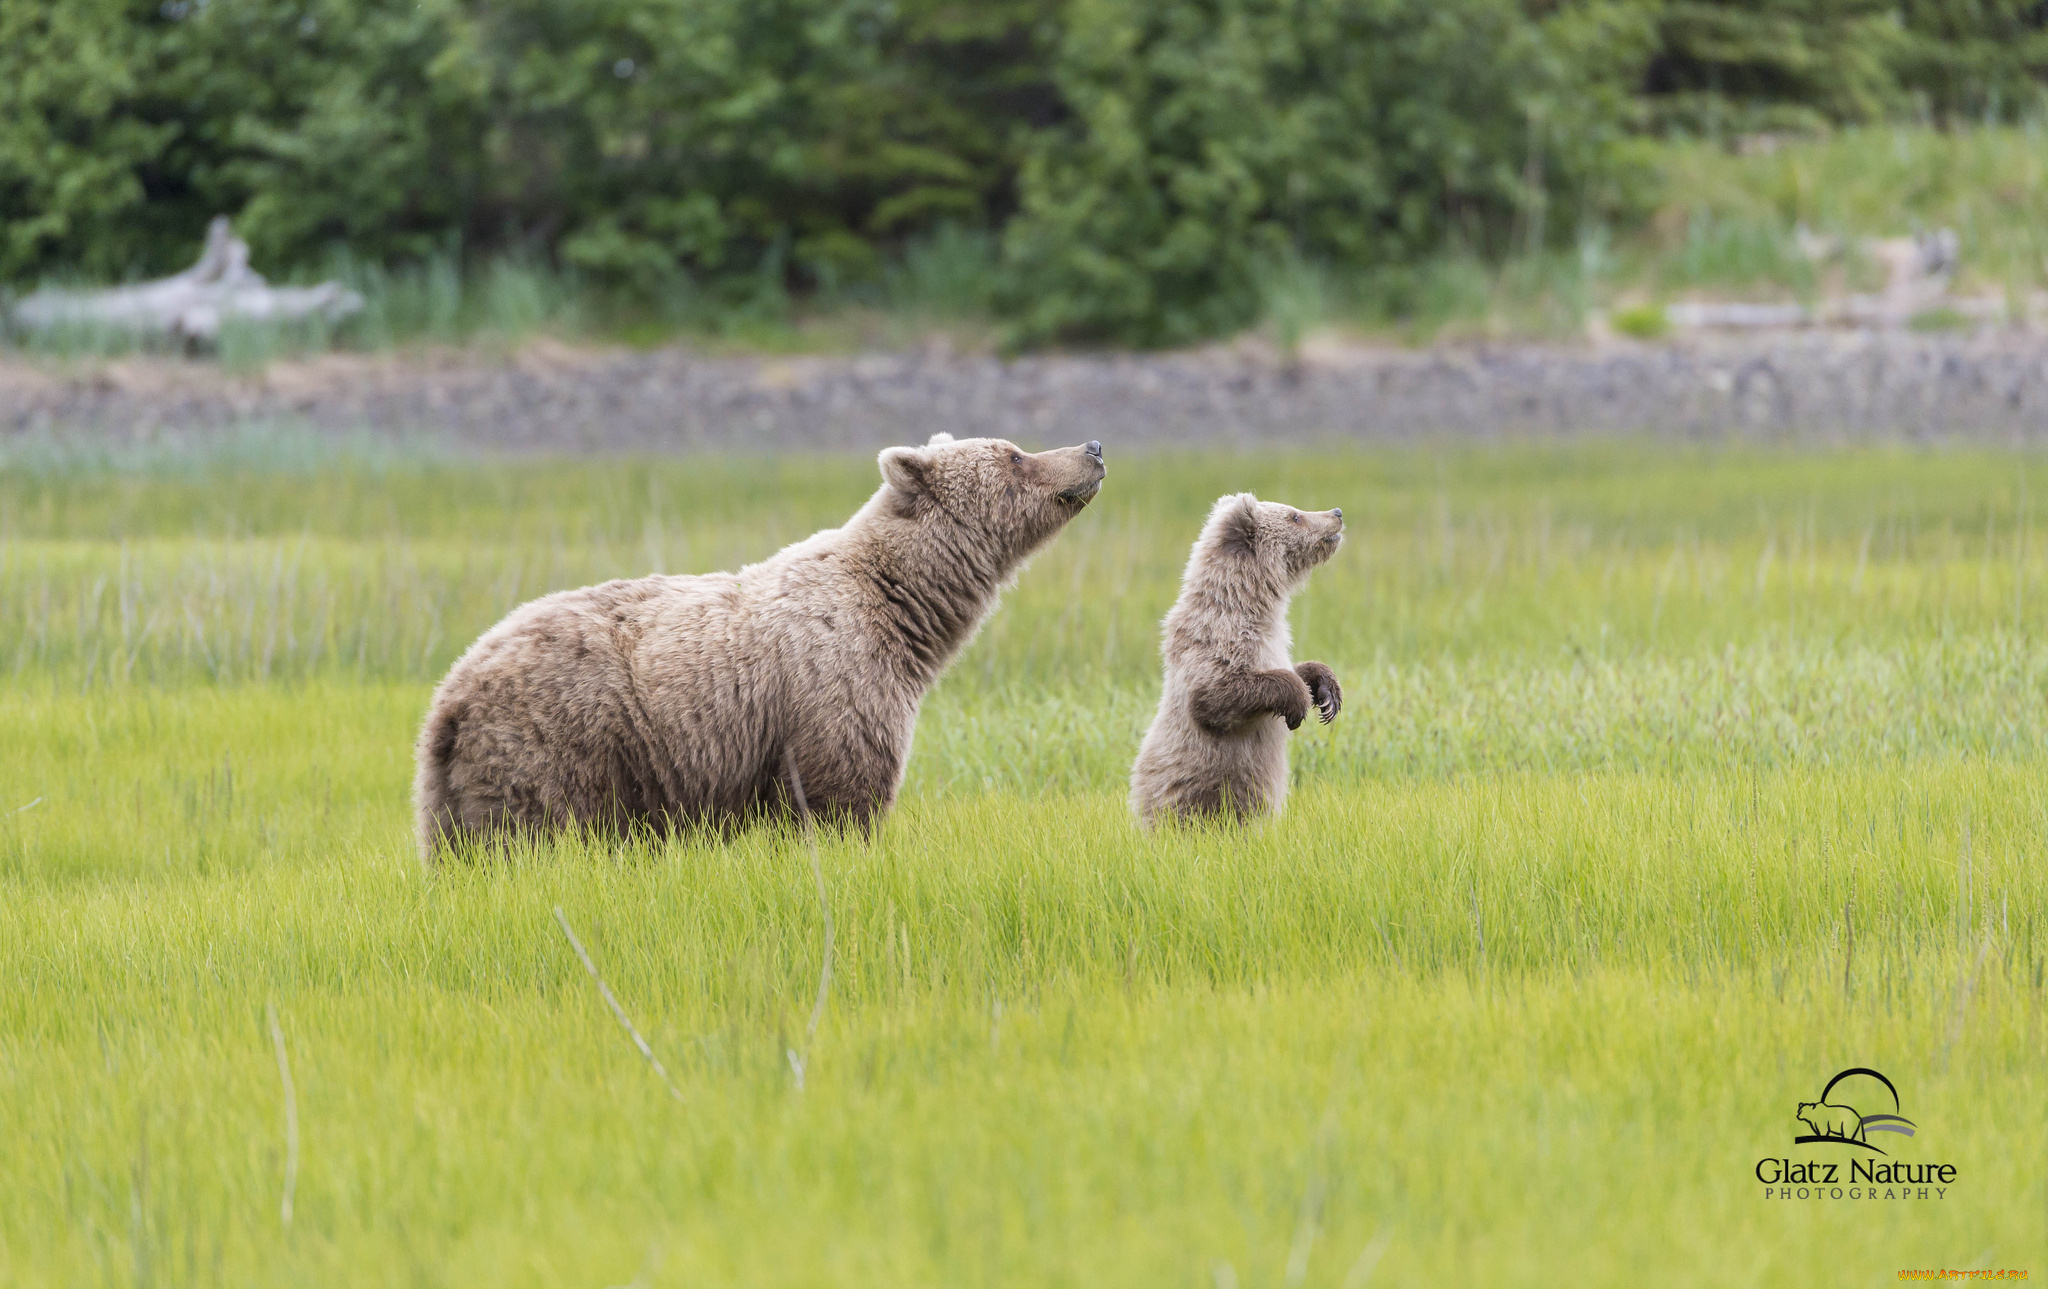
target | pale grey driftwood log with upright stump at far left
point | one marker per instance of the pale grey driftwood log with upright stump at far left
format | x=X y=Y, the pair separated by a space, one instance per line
x=194 y=304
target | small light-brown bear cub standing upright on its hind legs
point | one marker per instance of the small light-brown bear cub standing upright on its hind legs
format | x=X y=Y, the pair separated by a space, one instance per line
x=1218 y=745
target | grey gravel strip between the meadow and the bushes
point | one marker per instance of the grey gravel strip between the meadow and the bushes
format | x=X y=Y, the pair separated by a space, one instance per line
x=1801 y=386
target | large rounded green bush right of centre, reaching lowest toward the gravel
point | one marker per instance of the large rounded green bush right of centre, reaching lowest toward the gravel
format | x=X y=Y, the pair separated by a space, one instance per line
x=1215 y=136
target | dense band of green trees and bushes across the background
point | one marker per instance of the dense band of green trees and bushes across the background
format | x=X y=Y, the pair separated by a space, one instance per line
x=1140 y=165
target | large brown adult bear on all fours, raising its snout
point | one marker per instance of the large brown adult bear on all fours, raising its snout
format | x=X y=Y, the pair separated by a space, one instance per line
x=689 y=700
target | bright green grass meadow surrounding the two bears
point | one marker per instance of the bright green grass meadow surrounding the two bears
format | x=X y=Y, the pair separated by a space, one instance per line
x=1668 y=786
